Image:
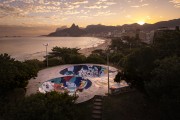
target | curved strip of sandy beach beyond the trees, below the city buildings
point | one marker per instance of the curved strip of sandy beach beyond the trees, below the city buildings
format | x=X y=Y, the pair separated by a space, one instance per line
x=87 y=51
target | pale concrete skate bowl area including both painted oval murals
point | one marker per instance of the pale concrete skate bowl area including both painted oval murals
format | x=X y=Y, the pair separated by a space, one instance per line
x=84 y=80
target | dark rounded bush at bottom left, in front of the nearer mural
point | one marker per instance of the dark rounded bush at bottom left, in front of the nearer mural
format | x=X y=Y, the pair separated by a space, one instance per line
x=49 y=106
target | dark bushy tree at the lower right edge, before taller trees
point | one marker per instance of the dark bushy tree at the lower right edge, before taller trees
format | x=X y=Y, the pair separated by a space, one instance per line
x=164 y=88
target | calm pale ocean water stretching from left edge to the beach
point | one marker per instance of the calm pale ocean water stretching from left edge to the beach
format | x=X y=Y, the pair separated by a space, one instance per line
x=25 y=48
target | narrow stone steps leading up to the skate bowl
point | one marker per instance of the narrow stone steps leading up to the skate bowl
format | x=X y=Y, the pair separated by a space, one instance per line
x=97 y=108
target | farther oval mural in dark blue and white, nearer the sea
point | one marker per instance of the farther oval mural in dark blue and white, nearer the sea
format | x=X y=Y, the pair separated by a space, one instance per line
x=85 y=71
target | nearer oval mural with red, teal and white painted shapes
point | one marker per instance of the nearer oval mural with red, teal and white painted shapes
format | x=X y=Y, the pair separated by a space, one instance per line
x=68 y=83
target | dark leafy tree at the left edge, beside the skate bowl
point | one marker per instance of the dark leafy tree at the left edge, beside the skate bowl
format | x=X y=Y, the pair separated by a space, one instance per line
x=15 y=74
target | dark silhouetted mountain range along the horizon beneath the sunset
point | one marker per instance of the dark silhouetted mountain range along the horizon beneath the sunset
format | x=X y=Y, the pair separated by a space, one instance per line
x=75 y=31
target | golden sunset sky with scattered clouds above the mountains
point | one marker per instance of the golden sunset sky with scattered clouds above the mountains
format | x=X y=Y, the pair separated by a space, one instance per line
x=53 y=13
